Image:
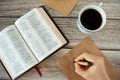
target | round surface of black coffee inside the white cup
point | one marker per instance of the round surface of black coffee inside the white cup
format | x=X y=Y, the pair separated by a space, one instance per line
x=91 y=19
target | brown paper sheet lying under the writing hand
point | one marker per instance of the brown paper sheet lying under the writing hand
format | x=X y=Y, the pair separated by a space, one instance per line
x=67 y=66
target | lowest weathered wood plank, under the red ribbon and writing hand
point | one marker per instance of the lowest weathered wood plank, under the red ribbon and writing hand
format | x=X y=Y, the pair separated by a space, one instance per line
x=50 y=70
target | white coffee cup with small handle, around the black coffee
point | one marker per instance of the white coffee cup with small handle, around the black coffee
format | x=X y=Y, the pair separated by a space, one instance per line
x=99 y=10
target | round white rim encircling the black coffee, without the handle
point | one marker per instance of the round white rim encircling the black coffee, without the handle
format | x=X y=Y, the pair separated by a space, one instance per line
x=99 y=10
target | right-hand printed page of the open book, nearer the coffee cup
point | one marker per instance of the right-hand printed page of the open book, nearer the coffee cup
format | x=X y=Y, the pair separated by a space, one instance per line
x=38 y=34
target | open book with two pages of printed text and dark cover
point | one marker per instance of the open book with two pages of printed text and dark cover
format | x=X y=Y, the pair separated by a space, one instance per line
x=33 y=37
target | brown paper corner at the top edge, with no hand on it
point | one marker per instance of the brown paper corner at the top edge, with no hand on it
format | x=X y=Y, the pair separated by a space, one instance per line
x=63 y=6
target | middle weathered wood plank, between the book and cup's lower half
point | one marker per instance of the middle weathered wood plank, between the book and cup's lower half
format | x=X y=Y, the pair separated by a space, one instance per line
x=107 y=38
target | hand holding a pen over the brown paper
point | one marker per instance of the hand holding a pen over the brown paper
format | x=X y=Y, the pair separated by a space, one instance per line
x=96 y=72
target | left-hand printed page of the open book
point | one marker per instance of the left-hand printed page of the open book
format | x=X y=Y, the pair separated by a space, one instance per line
x=15 y=55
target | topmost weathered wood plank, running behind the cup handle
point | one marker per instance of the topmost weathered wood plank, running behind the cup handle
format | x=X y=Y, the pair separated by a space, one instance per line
x=19 y=7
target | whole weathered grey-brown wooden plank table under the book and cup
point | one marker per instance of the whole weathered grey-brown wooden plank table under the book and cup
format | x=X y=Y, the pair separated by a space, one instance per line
x=108 y=39
